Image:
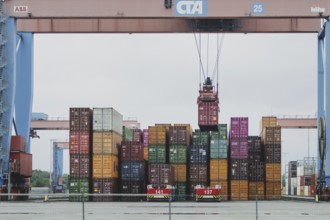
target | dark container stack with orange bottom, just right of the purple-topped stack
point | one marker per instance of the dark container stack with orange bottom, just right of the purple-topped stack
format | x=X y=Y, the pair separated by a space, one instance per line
x=256 y=169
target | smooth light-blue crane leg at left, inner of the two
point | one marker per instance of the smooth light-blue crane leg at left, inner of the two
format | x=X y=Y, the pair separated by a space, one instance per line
x=24 y=85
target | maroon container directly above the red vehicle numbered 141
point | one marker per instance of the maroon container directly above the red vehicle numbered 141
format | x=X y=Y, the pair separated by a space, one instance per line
x=161 y=175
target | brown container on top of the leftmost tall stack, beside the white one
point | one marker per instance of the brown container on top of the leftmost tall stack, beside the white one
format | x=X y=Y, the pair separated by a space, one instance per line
x=80 y=119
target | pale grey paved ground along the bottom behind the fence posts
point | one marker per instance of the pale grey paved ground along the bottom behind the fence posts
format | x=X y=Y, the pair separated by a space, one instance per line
x=270 y=210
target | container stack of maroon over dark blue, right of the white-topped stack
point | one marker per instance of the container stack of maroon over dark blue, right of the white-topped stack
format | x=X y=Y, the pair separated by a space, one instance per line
x=133 y=170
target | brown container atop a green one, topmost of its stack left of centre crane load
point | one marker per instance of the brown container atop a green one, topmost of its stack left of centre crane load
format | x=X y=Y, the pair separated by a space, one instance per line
x=179 y=135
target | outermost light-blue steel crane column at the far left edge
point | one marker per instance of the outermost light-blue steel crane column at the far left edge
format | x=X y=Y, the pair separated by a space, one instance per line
x=7 y=88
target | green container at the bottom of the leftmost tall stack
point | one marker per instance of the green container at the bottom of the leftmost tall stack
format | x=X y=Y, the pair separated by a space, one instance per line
x=79 y=186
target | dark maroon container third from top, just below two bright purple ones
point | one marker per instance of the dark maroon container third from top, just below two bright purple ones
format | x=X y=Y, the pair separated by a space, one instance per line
x=238 y=169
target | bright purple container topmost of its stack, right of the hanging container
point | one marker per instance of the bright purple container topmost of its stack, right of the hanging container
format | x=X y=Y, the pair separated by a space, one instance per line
x=239 y=127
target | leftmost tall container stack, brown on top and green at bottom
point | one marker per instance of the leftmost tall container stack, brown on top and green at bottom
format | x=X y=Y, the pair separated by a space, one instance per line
x=80 y=149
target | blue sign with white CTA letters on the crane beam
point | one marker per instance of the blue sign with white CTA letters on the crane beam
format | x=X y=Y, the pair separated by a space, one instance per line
x=190 y=8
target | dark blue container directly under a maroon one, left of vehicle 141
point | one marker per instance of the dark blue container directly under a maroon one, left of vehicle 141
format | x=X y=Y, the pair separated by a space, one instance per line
x=133 y=171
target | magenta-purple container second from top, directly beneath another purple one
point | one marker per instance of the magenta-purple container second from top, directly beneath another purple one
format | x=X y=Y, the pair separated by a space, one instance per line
x=239 y=148
